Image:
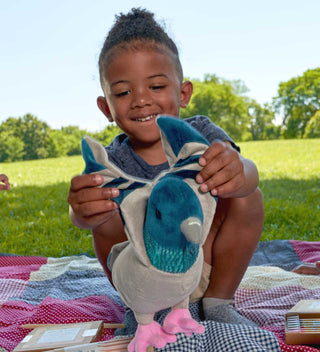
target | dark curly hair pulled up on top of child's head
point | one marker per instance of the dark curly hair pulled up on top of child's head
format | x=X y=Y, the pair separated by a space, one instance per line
x=137 y=30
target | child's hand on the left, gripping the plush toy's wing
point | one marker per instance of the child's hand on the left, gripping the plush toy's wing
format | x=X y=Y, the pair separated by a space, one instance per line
x=91 y=206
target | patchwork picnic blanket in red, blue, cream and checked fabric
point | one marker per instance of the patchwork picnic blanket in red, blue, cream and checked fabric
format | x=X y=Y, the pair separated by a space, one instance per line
x=75 y=289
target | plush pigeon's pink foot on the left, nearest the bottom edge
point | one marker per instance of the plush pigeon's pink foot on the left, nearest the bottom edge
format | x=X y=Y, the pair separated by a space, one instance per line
x=150 y=335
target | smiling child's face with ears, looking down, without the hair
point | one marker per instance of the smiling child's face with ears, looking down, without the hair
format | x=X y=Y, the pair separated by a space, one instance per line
x=139 y=85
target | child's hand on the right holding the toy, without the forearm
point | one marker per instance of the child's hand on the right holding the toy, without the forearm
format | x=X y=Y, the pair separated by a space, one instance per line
x=223 y=170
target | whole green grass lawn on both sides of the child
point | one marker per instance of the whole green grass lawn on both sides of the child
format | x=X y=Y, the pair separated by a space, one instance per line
x=34 y=213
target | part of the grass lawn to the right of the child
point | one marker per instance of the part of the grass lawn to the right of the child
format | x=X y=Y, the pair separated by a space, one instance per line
x=290 y=182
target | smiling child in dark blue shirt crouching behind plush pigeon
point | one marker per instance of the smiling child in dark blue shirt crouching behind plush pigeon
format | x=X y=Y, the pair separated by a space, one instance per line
x=141 y=77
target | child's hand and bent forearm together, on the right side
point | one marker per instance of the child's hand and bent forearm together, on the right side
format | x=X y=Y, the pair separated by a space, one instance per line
x=226 y=173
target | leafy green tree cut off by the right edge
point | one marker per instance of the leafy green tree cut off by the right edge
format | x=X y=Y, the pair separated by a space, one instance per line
x=298 y=100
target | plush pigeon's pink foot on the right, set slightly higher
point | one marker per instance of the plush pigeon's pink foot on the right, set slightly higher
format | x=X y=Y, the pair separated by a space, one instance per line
x=180 y=320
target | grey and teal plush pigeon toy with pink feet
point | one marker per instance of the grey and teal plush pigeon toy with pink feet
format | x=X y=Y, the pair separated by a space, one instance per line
x=166 y=221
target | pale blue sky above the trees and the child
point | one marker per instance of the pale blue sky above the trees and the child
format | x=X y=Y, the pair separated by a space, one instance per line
x=49 y=49
